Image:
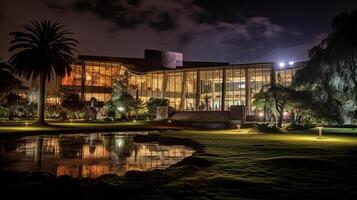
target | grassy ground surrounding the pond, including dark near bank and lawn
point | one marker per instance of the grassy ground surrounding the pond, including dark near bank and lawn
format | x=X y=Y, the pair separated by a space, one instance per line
x=233 y=165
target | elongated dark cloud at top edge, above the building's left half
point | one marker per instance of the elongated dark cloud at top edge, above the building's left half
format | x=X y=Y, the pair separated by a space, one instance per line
x=125 y=14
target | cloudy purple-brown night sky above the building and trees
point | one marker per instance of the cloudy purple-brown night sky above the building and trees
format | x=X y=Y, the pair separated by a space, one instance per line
x=205 y=30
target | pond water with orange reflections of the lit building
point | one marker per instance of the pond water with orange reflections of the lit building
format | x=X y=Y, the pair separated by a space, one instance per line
x=89 y=155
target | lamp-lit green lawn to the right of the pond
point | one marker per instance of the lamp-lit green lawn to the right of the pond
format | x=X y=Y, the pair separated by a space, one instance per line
x=270 y=166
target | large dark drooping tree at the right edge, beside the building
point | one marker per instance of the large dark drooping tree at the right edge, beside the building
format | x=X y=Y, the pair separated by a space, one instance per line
x=331 y=71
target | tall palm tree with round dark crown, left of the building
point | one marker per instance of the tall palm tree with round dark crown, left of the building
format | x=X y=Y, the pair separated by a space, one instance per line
x=43 y=50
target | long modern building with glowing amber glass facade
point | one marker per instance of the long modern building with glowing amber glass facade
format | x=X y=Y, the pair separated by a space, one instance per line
x=188 y=85
